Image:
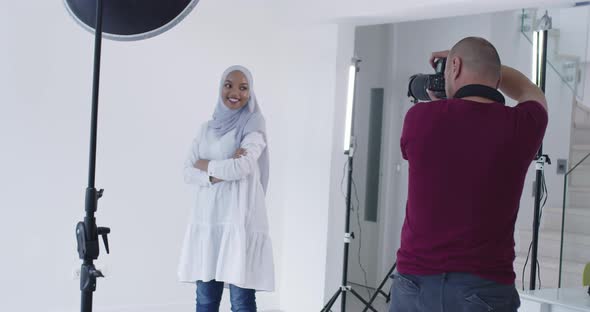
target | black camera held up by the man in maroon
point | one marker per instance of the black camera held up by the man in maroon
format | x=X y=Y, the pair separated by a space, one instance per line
x=419 y=83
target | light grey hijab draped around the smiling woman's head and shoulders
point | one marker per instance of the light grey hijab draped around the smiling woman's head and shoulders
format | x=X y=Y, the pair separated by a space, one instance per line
x=246 y=120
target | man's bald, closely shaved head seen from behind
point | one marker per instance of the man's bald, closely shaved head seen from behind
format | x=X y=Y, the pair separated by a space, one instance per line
x=473 y=60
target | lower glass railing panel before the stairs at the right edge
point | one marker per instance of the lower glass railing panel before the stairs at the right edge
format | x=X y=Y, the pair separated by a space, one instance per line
x=575 y=219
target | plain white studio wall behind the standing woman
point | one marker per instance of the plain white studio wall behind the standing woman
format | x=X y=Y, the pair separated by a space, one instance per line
x=154 y=96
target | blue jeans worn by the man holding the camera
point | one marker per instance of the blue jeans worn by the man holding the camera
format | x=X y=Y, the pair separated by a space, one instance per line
x=451 y=292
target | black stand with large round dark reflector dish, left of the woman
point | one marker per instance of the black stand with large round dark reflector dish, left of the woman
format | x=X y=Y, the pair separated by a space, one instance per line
x=123 y=20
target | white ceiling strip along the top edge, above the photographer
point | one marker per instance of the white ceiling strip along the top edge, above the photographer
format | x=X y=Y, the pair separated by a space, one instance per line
x=370 y=11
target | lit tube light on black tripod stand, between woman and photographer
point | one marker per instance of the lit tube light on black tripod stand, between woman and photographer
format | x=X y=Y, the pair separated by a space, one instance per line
x=349 y=151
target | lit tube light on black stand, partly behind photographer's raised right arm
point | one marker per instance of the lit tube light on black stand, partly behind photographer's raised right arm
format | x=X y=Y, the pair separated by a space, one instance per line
x=539 y=75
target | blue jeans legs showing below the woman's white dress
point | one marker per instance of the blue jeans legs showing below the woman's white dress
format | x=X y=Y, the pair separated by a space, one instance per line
x=209 y=297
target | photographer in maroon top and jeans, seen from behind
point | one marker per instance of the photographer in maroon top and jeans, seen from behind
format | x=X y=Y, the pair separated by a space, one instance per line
x=468 y=157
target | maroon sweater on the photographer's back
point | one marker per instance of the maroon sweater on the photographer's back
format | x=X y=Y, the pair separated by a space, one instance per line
x=467 y=165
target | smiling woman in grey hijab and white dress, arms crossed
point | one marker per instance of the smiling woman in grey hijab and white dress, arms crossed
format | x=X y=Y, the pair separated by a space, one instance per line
x=227 y=240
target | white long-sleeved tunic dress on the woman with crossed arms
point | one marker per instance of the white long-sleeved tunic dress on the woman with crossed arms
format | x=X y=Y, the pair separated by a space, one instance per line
x=227 y=236
